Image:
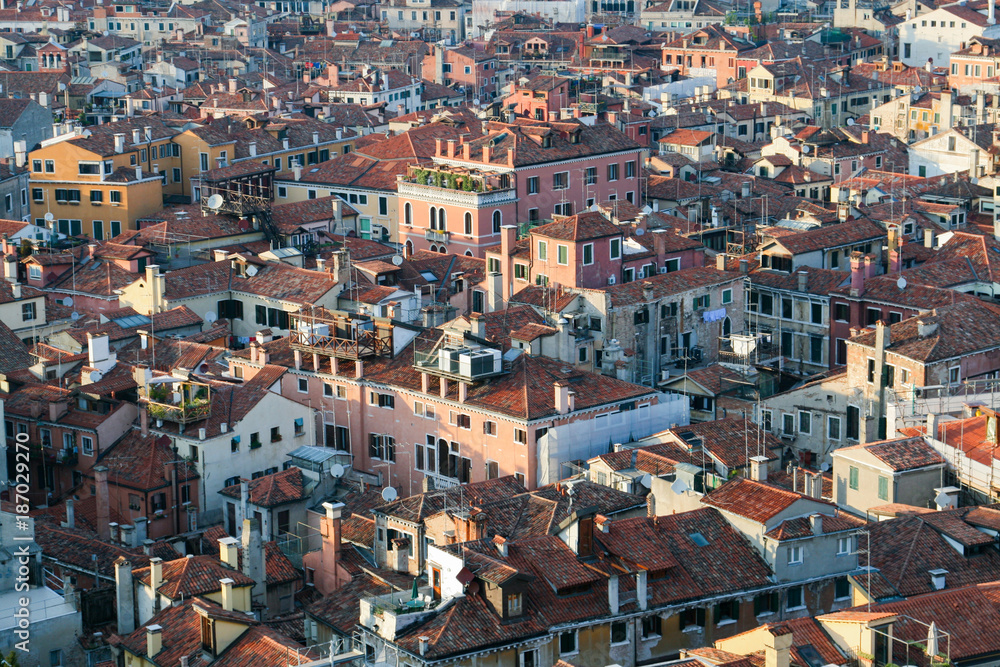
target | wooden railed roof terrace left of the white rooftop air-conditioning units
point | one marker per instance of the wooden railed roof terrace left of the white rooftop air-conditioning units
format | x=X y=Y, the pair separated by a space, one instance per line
x=341 y=336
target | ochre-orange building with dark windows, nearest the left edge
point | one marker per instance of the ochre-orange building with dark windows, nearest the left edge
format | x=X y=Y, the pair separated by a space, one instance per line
x=98 y=182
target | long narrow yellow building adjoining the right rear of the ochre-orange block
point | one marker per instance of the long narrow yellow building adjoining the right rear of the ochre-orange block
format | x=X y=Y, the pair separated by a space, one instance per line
x=276 y=142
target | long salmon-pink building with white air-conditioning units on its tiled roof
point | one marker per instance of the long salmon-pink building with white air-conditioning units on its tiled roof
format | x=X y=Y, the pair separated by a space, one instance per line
x=445 y=405
